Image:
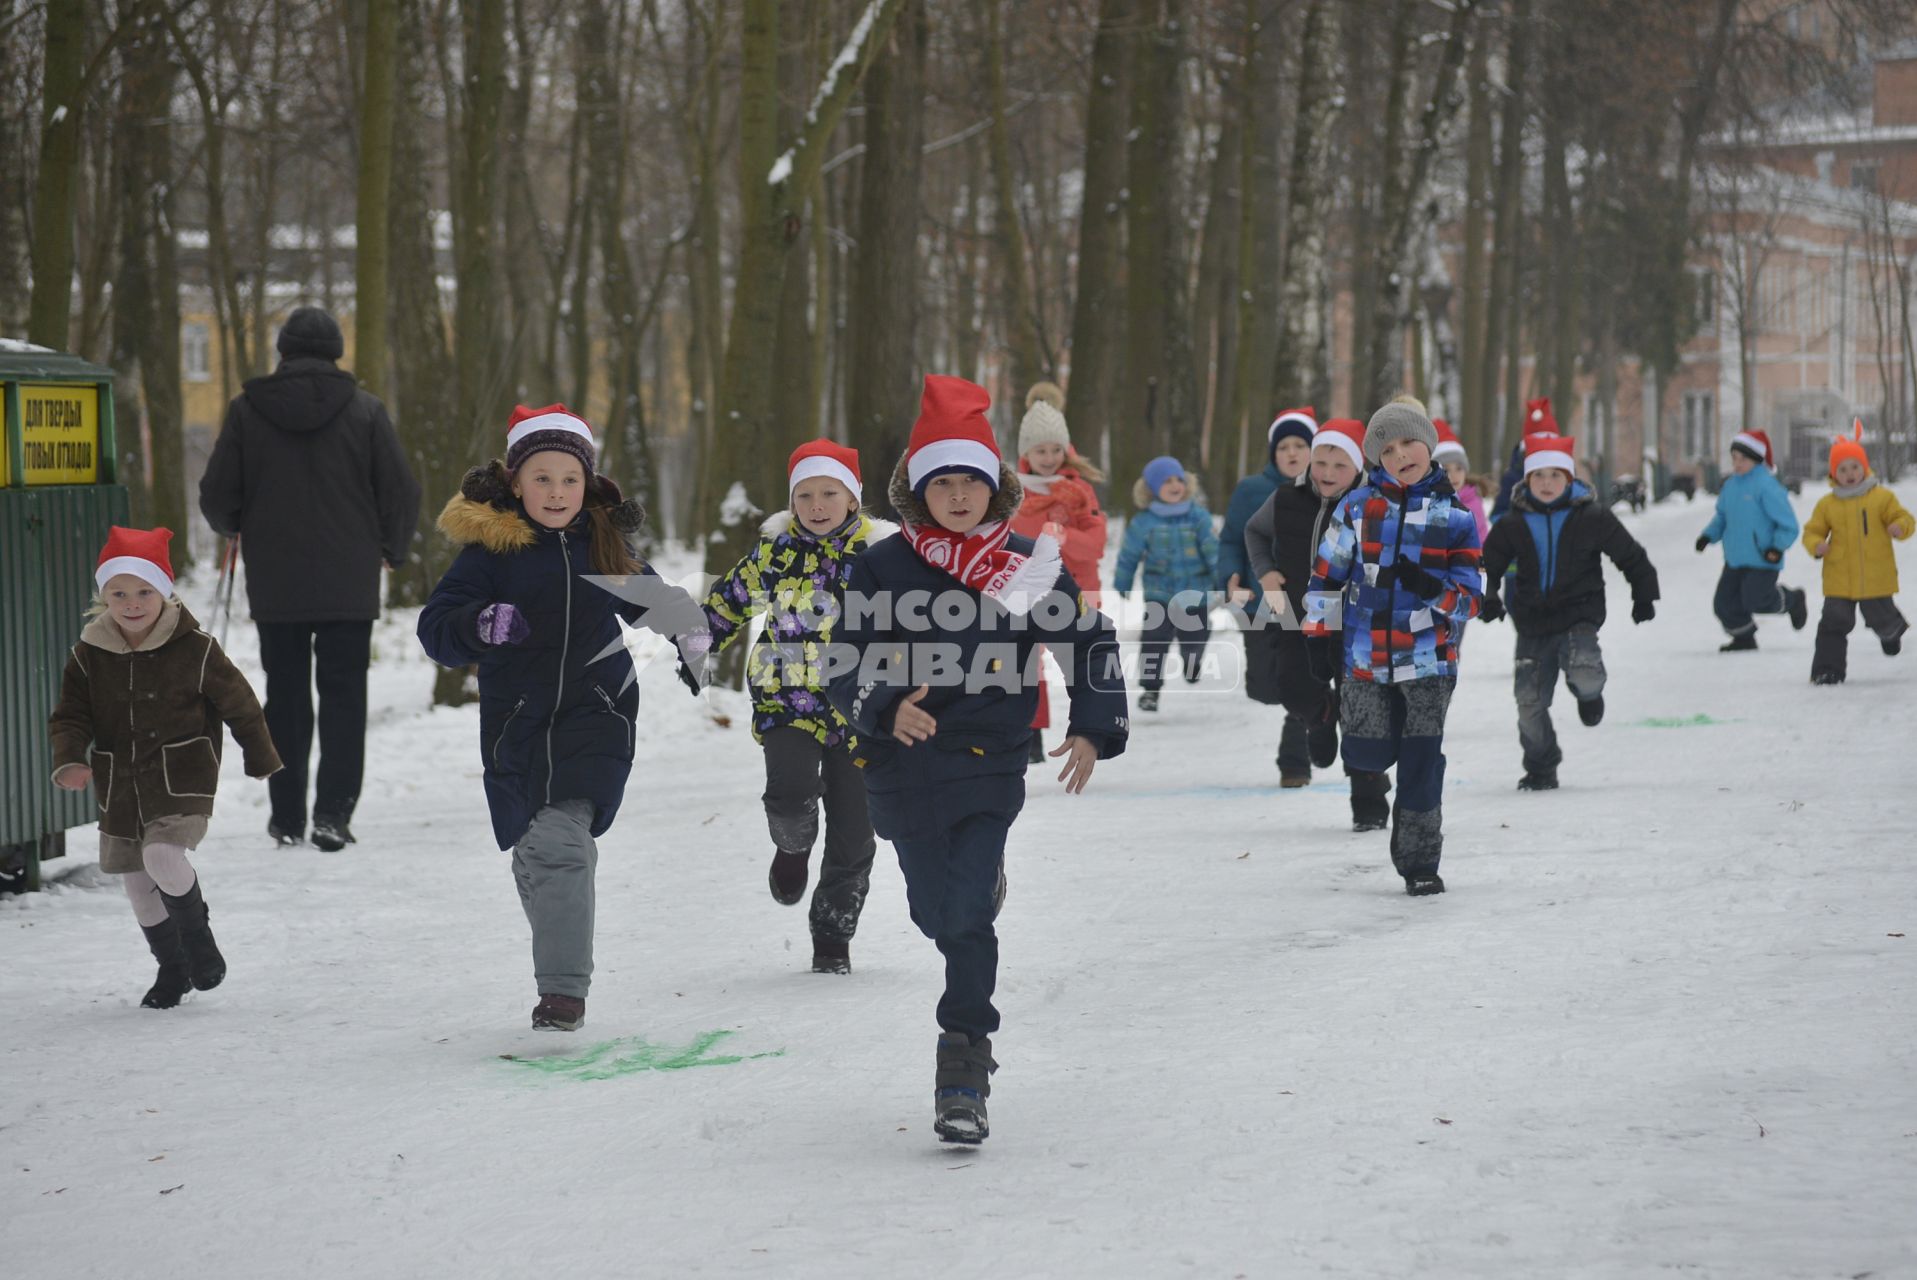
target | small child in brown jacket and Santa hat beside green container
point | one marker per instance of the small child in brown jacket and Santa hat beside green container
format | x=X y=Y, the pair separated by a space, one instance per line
x=141 y=710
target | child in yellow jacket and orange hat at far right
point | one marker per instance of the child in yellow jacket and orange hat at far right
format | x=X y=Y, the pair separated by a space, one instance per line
x=1851 y=534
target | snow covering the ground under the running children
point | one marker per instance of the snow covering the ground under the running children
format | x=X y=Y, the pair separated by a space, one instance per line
x=1661 y=1024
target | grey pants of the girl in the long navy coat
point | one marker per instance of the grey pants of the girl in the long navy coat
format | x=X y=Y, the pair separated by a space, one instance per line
x=555 y=865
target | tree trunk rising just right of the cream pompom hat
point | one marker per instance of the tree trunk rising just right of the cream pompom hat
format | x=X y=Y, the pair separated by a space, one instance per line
x=1097 y=342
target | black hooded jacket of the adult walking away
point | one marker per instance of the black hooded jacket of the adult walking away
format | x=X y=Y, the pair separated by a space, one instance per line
x=310 y=470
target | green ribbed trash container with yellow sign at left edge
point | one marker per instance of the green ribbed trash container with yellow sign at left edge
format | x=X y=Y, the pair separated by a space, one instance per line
x=58 y=495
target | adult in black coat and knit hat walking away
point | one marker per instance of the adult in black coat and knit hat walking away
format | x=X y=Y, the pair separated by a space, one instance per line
x=310 y=476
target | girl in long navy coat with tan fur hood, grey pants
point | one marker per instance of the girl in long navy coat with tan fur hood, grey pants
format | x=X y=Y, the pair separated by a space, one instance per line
x=536 y=597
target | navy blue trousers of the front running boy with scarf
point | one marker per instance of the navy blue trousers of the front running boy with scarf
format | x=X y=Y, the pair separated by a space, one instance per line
x=950 y=882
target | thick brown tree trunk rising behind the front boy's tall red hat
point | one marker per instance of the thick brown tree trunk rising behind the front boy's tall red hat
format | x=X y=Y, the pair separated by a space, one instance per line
x=883 y=315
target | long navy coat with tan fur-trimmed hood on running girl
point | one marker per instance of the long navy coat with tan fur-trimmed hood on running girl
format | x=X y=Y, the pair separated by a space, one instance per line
x=557 y=712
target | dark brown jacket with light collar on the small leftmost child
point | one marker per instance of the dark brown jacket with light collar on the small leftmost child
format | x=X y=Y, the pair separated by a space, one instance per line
x=149 y=721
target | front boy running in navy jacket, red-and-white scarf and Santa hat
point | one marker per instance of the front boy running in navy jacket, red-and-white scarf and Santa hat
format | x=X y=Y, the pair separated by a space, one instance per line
x=935 y=668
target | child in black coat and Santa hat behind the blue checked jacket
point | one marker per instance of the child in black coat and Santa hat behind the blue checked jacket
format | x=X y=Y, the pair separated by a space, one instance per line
x=1282 y=543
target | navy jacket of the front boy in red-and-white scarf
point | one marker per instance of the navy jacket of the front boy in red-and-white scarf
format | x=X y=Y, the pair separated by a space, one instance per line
x=977 y=762
